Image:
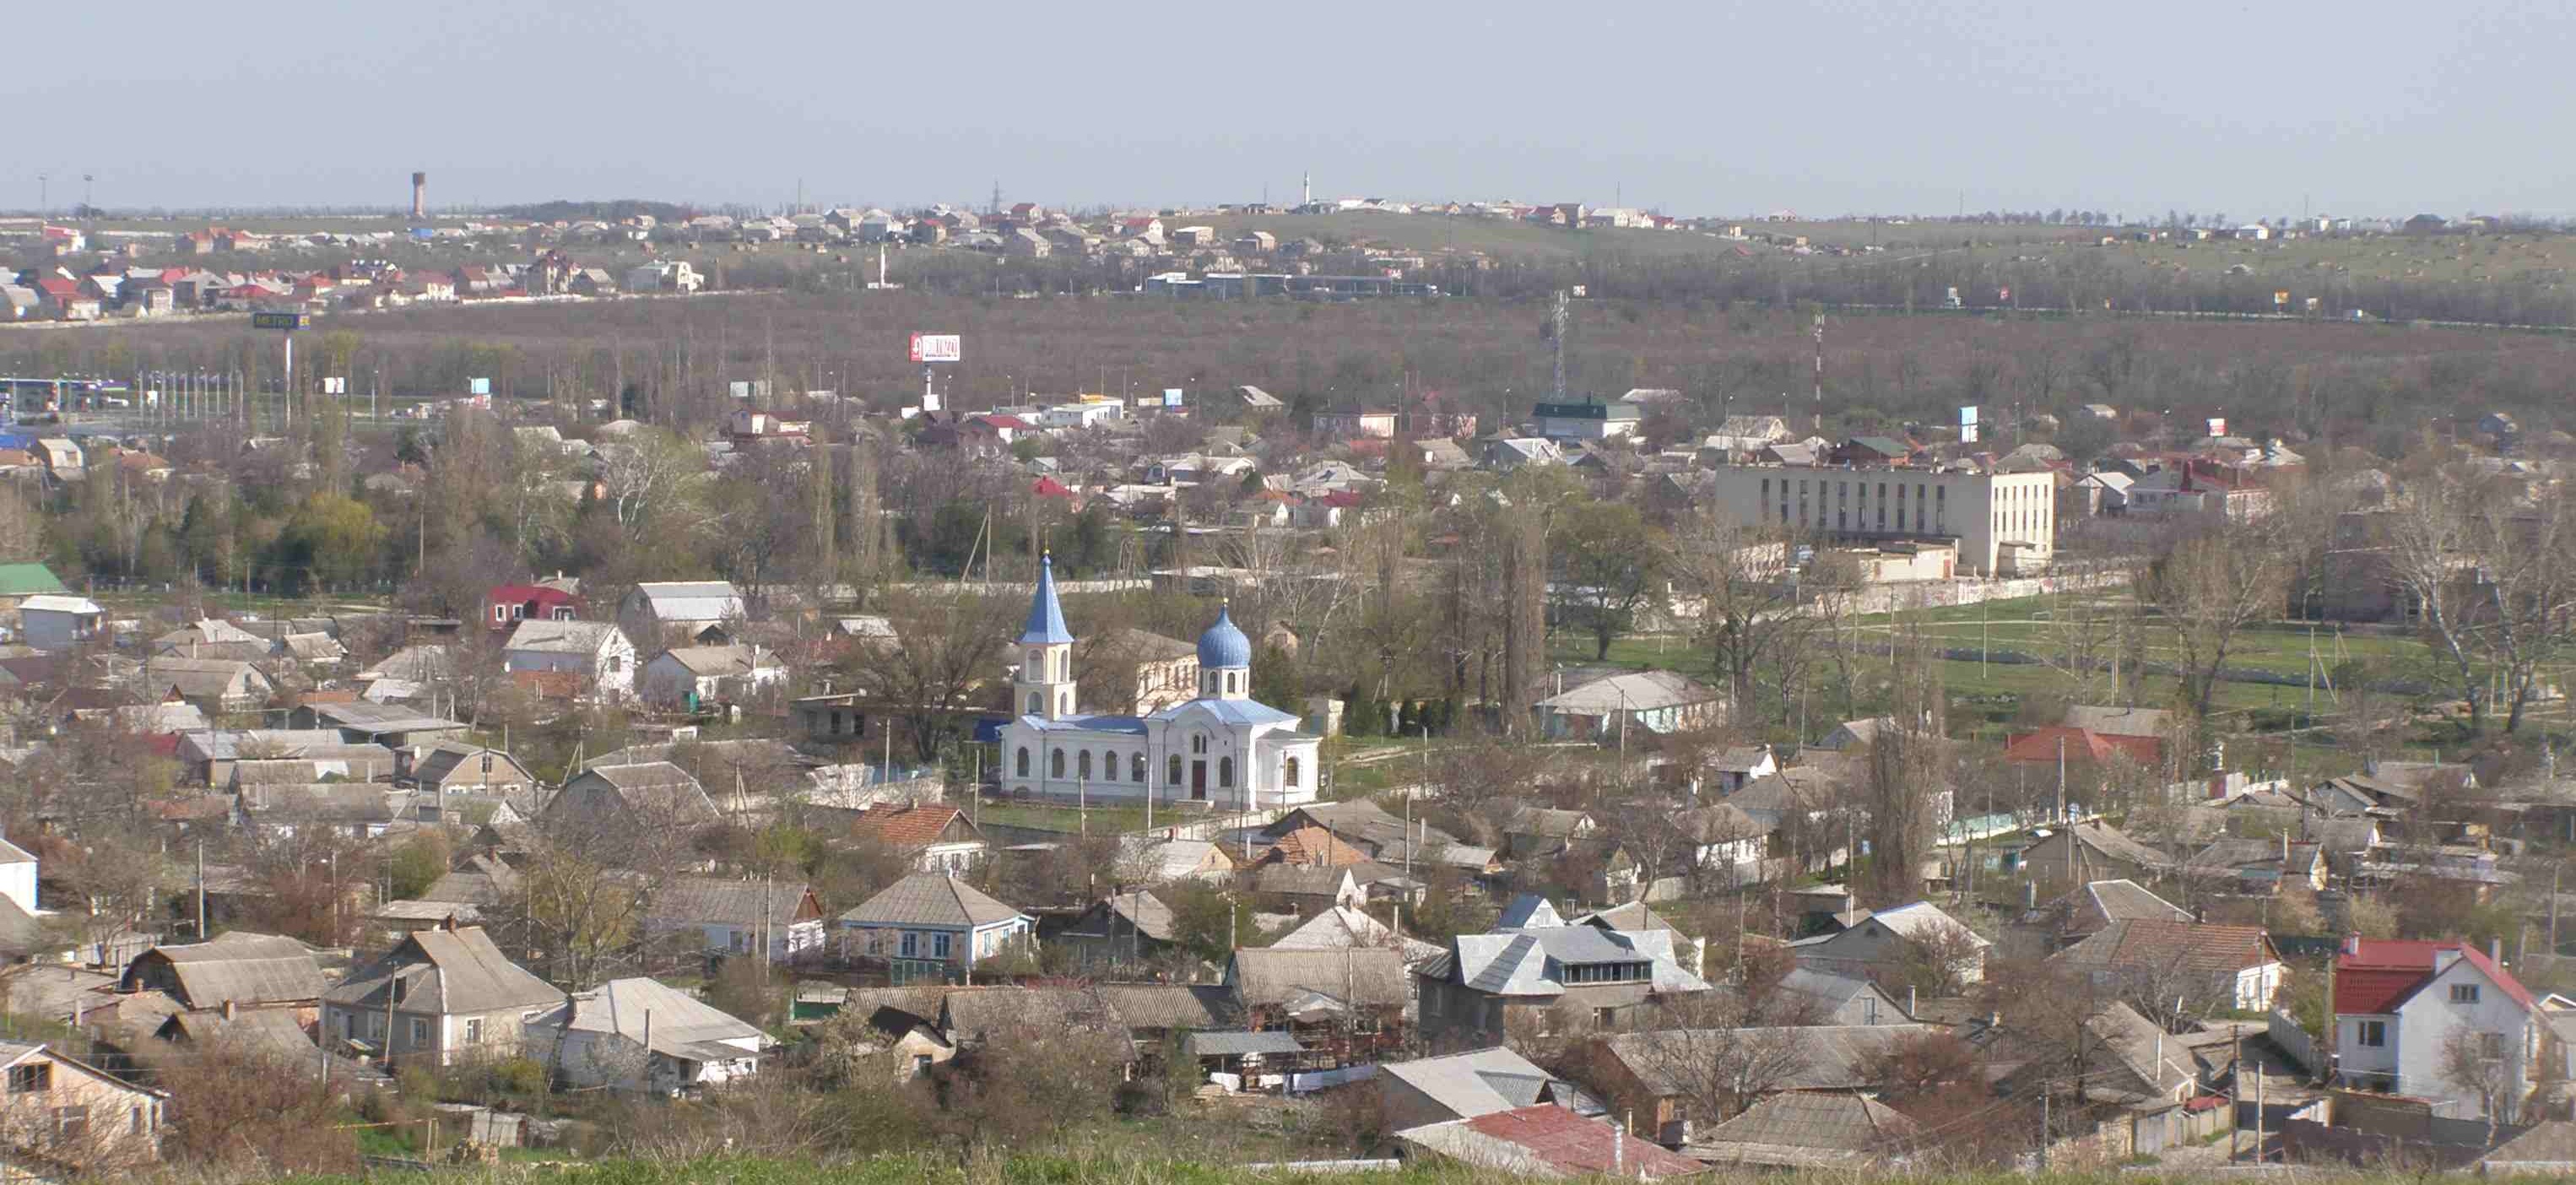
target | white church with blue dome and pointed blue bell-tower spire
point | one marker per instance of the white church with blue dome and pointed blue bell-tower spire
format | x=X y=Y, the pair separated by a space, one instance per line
x=1222 y=748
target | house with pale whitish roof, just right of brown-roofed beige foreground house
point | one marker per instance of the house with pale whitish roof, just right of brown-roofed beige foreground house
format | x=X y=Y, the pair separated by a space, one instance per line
x=638 y=1034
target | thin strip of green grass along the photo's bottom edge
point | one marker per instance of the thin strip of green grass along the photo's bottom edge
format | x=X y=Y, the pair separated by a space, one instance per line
x=1068 y=1171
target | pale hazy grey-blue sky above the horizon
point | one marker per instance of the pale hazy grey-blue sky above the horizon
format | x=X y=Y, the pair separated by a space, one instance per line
x=2255 y=109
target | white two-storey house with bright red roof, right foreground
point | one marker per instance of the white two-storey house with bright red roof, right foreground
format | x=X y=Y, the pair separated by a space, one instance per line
x=2397 y=1006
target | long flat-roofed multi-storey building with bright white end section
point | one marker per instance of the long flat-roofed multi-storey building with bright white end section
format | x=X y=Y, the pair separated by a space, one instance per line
x=2003 y=524
